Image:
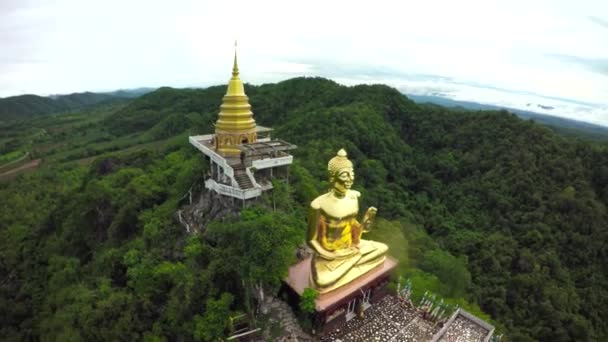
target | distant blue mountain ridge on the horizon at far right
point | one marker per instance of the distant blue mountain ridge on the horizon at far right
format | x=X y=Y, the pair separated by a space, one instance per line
x=562 y=125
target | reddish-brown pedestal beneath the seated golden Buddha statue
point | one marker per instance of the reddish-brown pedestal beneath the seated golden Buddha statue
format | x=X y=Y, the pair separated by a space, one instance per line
x=334 y=308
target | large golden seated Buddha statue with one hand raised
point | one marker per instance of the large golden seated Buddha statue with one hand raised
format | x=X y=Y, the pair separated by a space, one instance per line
x=335 y=234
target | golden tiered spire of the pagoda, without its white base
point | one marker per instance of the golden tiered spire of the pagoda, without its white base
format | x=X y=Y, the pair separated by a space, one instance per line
x=235 y=125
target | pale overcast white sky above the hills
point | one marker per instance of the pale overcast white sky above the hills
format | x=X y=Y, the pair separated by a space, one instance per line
x=514 y=53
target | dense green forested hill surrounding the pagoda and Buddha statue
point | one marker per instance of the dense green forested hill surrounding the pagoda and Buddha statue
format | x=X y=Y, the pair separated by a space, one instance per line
x=511 y=215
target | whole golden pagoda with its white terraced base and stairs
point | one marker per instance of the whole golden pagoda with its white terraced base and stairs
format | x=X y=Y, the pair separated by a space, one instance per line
x=243 y=158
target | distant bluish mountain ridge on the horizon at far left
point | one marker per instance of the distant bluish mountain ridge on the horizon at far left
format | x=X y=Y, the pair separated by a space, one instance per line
x=28 y=106
